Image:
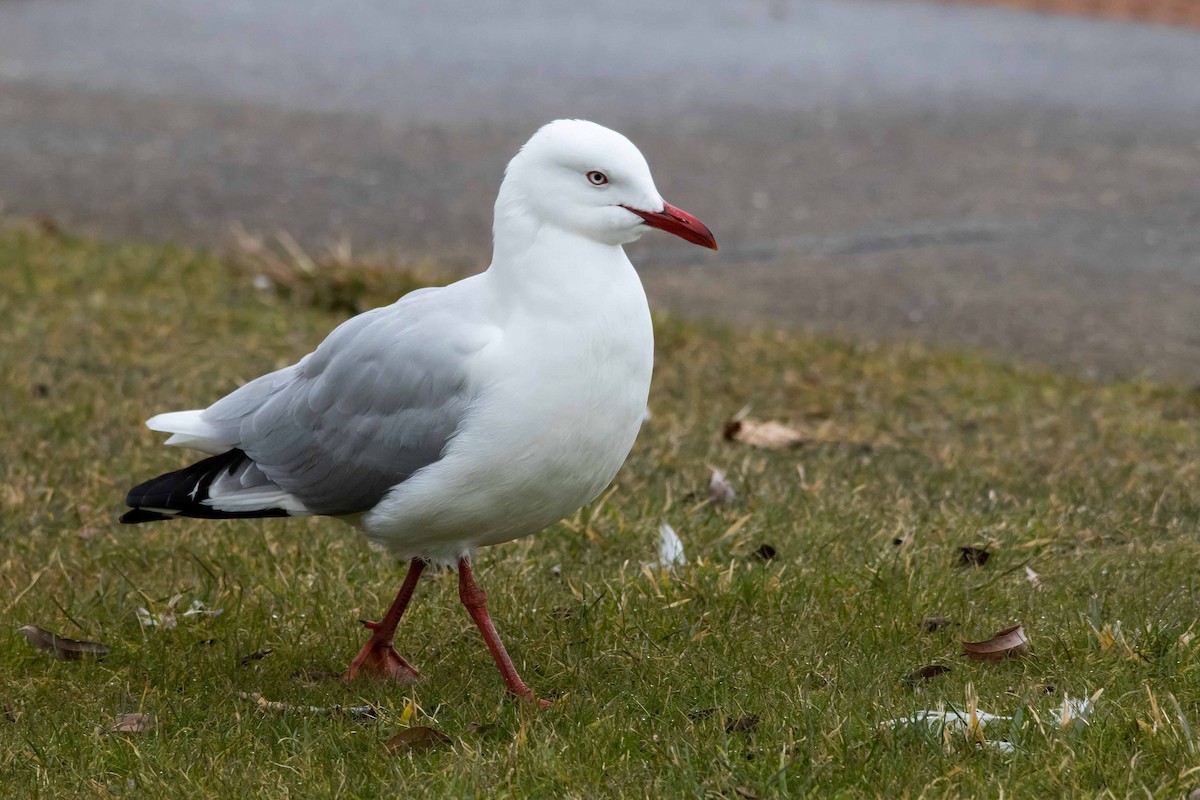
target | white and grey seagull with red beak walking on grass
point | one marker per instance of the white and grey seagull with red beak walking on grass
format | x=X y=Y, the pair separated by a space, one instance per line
x=464 y=416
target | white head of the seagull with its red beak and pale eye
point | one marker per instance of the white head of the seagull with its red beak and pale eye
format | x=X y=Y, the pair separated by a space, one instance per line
x=586 y=179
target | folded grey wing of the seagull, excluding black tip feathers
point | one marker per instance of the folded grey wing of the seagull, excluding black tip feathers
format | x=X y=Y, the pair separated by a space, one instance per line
x=374 y=404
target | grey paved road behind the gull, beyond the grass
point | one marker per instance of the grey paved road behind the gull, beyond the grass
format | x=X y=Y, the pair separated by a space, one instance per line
x=877 y=169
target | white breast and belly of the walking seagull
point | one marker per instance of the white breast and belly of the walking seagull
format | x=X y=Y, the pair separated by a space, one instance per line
x=555 y=424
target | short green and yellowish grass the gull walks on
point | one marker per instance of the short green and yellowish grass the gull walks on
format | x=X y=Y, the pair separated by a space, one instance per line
x=803 y=657
